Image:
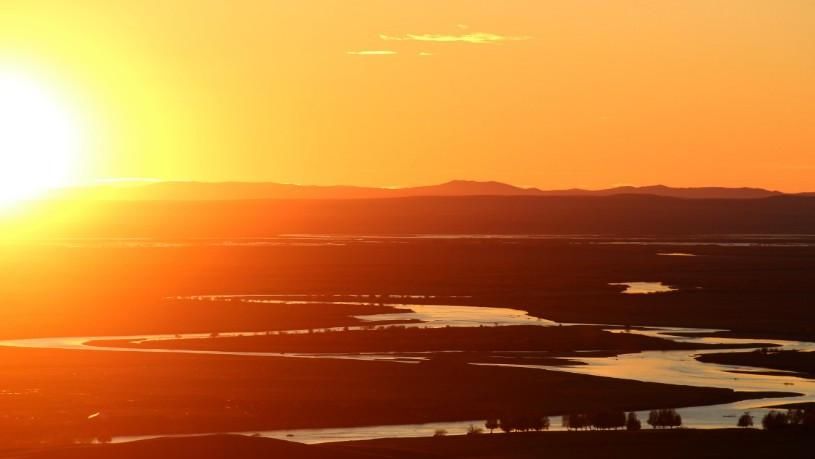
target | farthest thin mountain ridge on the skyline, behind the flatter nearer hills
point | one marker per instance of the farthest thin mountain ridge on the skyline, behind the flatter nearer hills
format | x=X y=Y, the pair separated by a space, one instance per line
x=216 y=191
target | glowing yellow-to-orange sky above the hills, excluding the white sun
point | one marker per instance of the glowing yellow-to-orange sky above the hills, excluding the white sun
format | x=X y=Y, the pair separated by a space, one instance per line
x=384 y=92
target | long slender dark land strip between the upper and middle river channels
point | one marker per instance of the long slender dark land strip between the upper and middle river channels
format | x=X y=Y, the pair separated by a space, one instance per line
x=559 y=341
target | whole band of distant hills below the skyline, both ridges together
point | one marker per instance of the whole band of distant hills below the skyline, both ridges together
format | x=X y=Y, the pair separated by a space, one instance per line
x=235 y=209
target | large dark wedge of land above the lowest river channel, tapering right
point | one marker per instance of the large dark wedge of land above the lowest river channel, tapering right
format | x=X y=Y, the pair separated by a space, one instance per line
x=48 y=396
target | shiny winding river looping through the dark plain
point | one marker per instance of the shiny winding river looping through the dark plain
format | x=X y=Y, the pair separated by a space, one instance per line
x=672 y=367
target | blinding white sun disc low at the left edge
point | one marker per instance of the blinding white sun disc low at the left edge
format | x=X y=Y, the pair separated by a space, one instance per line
x=38 y=140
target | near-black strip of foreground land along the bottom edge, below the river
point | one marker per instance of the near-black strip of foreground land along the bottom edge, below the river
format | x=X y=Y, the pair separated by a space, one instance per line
x=719 y=444
